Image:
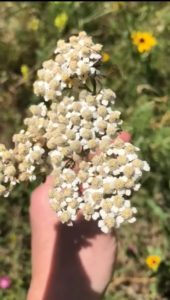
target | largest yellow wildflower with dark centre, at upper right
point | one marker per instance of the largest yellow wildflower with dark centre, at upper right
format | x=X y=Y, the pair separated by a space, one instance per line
x=144 y=41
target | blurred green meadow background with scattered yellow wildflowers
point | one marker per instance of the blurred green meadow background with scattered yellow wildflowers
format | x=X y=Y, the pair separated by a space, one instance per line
x=136 y=39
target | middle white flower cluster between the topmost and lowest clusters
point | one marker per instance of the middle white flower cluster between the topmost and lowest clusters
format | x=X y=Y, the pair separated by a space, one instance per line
x=76 y=125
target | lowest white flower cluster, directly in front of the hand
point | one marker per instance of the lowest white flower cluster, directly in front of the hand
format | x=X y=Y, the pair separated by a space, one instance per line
x=100 y=188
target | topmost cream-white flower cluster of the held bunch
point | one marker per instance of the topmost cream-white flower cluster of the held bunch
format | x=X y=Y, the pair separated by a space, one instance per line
x=73 y=64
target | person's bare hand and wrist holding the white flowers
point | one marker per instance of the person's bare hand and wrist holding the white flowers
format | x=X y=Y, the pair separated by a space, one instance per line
x=68 y=262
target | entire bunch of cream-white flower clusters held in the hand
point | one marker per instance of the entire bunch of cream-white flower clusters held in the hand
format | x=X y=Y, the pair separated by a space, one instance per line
x=75 y=138
